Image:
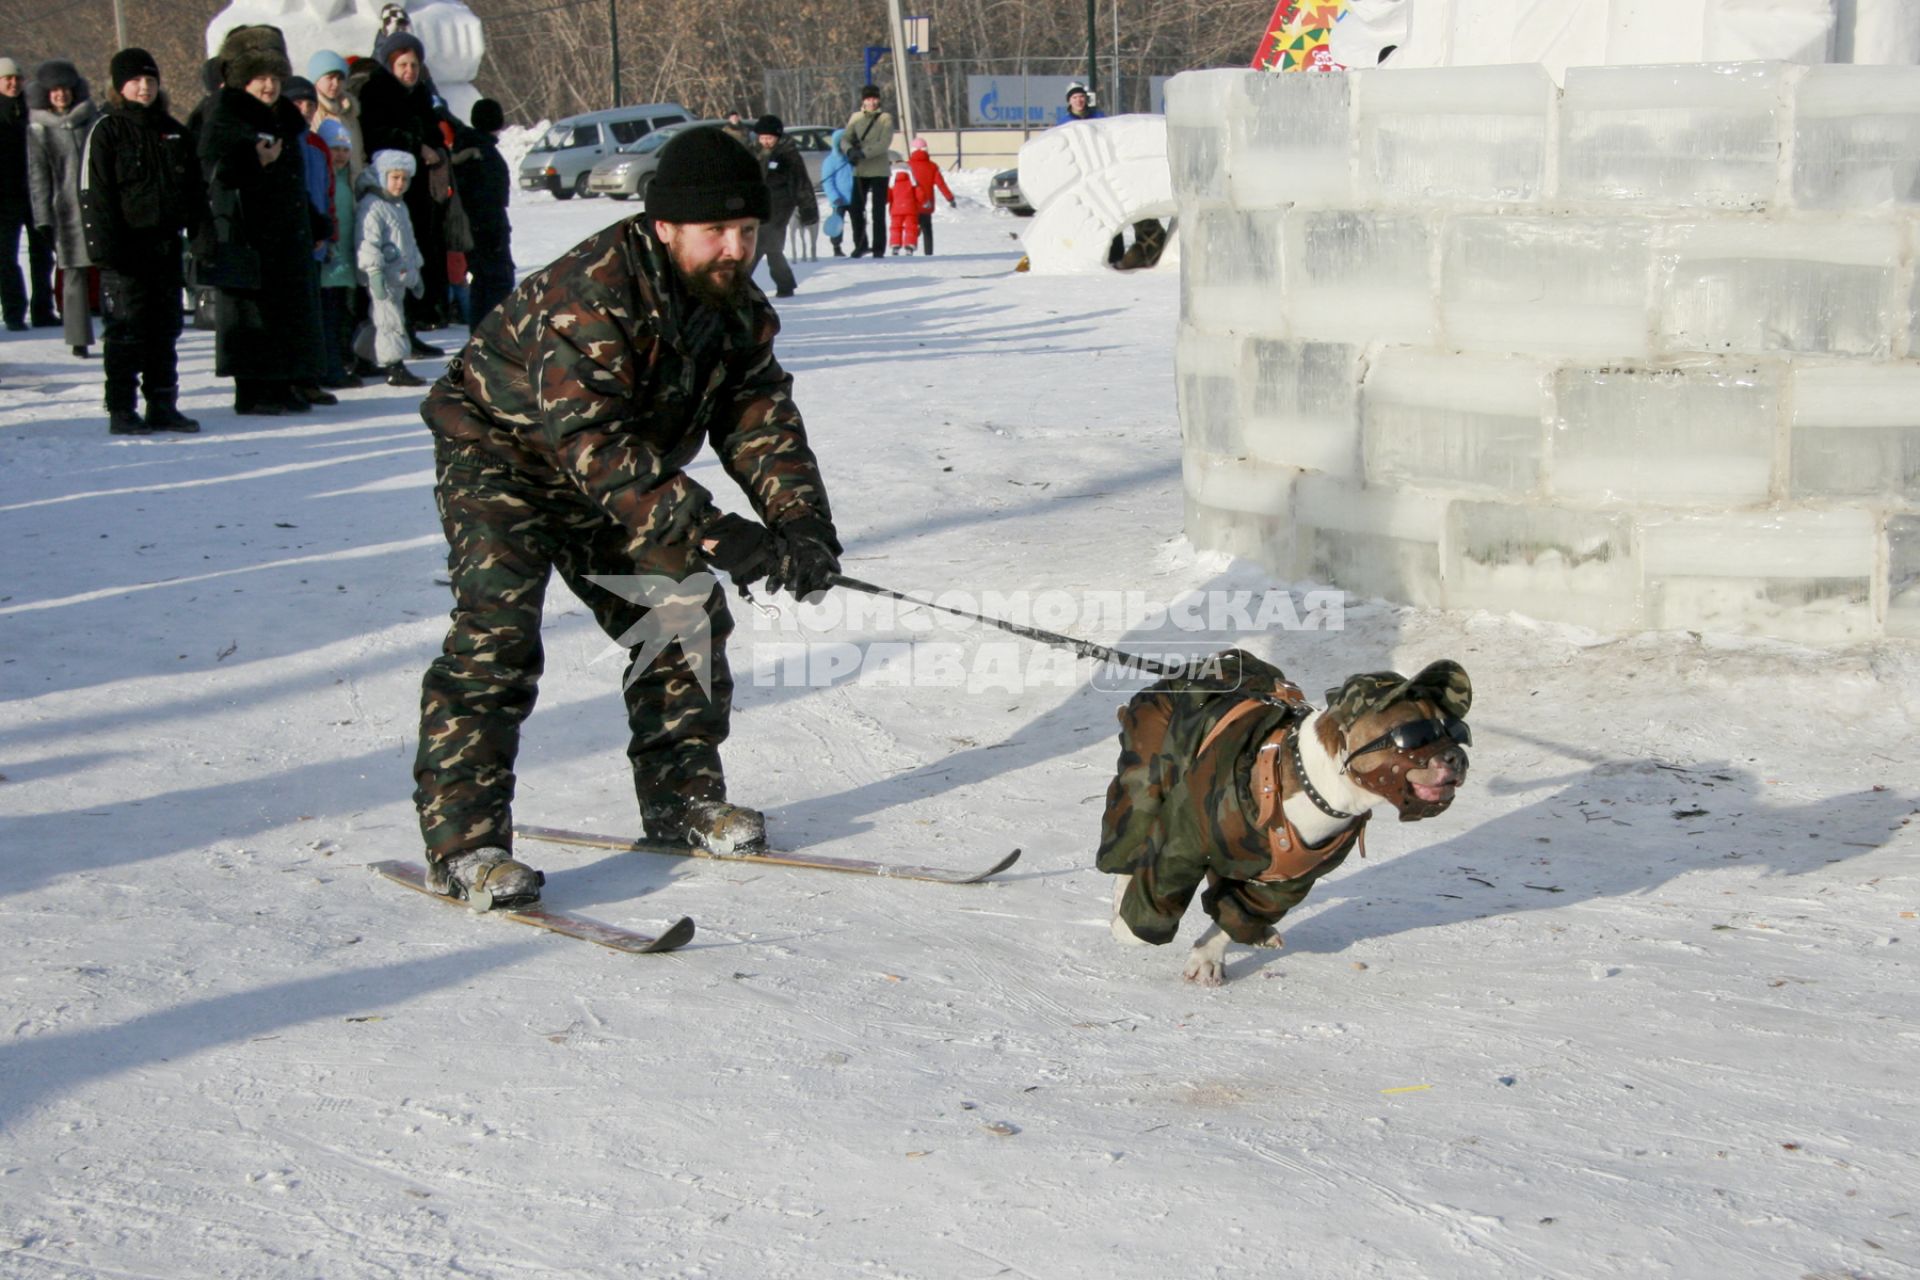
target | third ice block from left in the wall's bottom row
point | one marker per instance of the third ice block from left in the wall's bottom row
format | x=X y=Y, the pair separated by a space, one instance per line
x=1545 y=561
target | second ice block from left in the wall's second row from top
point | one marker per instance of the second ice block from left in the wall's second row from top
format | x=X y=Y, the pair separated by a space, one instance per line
x=1360 y=277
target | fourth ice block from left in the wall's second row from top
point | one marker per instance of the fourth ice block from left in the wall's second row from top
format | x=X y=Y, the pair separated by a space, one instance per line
x=1769 y=287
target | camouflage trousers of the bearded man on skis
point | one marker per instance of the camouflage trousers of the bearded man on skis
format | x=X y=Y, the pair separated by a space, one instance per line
x=506 y=534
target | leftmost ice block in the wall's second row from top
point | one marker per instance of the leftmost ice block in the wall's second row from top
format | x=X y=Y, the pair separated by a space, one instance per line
x=1232 y=272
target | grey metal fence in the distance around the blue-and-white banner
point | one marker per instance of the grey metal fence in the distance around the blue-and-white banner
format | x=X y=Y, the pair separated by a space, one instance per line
x=940 y=87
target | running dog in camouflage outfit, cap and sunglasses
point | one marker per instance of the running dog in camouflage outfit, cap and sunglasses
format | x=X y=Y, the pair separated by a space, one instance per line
x=1234 y=778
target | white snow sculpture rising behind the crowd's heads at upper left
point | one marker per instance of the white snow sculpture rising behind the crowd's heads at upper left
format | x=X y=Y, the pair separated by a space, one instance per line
x=446 y=28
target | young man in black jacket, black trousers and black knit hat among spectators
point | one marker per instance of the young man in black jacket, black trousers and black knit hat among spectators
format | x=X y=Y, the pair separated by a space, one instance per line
x=139 y=193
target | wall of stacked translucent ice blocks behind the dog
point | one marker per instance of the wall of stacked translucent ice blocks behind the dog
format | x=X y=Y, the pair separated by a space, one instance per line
x=1633 y=354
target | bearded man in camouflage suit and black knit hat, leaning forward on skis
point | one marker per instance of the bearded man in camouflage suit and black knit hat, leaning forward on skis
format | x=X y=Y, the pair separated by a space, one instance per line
x=562 y=437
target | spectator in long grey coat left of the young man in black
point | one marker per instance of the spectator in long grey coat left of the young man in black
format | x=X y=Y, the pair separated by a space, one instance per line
x=60 y=116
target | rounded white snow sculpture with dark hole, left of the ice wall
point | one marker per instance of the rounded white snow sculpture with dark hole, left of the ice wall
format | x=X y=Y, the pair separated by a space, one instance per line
x=1090 y=181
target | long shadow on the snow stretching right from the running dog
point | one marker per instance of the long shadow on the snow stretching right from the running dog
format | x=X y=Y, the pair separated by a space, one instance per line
x=1618 y=830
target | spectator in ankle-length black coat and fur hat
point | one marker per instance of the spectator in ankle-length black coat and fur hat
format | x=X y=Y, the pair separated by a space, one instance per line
x=264 y=231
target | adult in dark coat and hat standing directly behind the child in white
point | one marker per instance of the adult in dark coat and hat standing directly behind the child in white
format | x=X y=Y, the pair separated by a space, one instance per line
x=398 y=116
